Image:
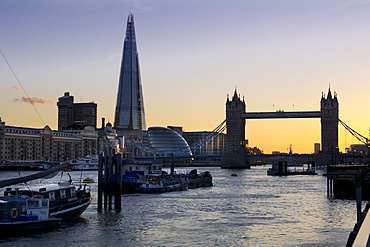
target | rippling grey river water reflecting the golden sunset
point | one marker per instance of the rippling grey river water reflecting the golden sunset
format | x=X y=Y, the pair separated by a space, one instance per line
x=251 y=209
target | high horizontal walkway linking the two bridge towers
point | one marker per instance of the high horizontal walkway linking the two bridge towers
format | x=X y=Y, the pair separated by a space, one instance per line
x=281 y=114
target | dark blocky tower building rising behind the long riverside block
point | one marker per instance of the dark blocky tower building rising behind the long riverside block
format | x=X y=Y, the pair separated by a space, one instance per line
x=75 y=115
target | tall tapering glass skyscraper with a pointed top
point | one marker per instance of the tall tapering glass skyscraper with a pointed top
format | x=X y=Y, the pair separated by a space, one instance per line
x=130 y=113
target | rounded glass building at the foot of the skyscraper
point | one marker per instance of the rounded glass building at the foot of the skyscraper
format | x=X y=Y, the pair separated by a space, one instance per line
x=168 y=141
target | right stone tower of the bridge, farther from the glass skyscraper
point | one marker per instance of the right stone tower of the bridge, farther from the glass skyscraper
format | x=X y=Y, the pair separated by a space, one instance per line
x=329 y=123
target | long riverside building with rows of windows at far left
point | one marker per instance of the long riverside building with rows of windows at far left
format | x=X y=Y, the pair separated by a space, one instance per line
x=21 y=143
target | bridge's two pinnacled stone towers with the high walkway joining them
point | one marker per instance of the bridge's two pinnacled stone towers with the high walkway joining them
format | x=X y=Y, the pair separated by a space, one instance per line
x=236 y=116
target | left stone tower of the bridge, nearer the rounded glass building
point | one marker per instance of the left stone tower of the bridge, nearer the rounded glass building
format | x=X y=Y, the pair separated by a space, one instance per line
x=235 y=136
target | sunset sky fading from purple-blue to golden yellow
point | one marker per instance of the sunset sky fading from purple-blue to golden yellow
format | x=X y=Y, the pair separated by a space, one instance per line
x=280 y=55
